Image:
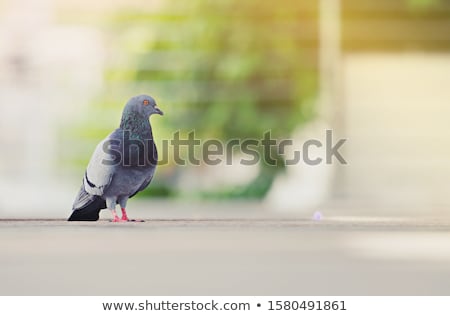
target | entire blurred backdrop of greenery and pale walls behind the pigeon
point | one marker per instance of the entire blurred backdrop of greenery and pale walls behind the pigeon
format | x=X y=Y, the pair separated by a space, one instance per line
x=226 y=69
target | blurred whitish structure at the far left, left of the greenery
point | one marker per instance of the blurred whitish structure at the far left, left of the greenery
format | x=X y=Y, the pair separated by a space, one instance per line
x=48 y=72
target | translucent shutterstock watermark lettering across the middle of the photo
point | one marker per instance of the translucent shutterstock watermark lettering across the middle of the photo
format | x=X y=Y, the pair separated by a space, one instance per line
x=190 y=150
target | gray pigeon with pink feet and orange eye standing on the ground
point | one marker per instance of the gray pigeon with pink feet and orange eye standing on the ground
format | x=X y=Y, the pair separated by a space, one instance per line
x=122 y=165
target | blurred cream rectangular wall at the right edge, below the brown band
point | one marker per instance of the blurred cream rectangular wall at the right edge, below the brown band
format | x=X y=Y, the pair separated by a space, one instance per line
x=397 y=110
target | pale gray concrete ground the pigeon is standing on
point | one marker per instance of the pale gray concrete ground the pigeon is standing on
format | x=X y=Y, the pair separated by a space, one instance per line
x=226 y=254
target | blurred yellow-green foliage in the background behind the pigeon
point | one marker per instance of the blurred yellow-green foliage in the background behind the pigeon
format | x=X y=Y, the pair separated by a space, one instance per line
x=226 y=69
